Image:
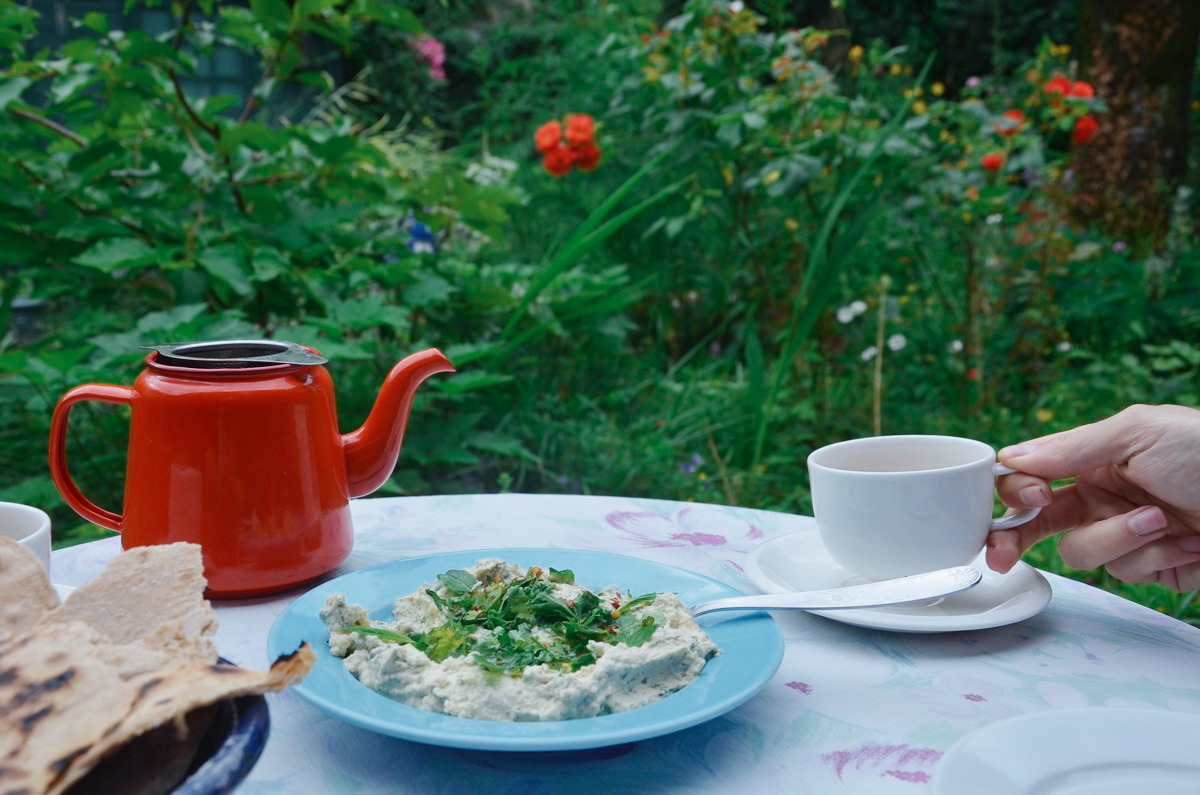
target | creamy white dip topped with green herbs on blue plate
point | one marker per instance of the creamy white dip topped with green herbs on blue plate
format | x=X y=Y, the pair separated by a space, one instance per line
x=500 y=643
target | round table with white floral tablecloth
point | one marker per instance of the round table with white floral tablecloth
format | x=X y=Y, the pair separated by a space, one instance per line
x=850 y=710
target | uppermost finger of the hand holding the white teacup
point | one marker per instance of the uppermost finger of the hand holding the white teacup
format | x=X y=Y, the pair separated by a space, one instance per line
x=1079 y=450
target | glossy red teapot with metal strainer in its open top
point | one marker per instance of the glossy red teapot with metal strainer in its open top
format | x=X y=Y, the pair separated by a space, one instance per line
x=235 y=446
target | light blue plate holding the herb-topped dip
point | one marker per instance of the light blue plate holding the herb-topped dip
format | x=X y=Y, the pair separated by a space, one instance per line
x=752 y=649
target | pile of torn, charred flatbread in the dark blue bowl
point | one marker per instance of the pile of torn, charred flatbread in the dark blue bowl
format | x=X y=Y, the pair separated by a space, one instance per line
x=125 y=666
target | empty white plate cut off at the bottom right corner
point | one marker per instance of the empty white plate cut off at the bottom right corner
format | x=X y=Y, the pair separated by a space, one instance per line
x=1077 y=752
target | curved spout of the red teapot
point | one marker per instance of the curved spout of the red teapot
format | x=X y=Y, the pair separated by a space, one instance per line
x=373 y=450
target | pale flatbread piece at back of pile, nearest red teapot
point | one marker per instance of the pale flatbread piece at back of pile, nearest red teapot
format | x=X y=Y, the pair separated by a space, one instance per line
x=153 y=596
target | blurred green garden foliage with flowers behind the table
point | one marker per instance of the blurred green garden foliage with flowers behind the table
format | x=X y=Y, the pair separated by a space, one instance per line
x=809 y=222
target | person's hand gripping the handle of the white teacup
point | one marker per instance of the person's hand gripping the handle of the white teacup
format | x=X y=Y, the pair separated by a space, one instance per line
x=1135 y=506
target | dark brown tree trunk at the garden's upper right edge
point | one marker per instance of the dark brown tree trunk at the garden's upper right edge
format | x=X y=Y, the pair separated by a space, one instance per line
x=1139 y=56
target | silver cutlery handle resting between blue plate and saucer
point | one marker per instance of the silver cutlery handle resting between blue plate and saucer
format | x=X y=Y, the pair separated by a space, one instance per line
x=905 y=590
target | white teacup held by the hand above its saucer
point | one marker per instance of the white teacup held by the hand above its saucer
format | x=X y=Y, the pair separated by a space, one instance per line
x=893 y=506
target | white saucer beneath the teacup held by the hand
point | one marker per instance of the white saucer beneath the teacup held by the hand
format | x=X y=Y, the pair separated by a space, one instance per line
x=800 y=563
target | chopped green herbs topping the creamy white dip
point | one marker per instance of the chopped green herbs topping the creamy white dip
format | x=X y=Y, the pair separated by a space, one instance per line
x=529 y=624
